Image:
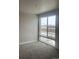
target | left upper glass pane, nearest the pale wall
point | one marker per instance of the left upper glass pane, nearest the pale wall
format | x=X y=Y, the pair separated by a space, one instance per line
x=43 y=26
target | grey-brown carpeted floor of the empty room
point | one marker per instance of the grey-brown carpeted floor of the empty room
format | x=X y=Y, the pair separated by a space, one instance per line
x=37 y=50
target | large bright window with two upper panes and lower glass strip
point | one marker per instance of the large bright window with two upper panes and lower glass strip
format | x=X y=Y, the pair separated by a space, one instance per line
x=47 y=26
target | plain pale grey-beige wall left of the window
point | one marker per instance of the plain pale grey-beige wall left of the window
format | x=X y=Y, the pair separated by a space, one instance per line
x=28 y=27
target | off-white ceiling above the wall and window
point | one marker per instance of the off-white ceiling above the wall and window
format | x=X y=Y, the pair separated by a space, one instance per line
x=37 y=6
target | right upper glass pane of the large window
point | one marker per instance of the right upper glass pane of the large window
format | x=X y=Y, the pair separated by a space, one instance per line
x=51 y=26
